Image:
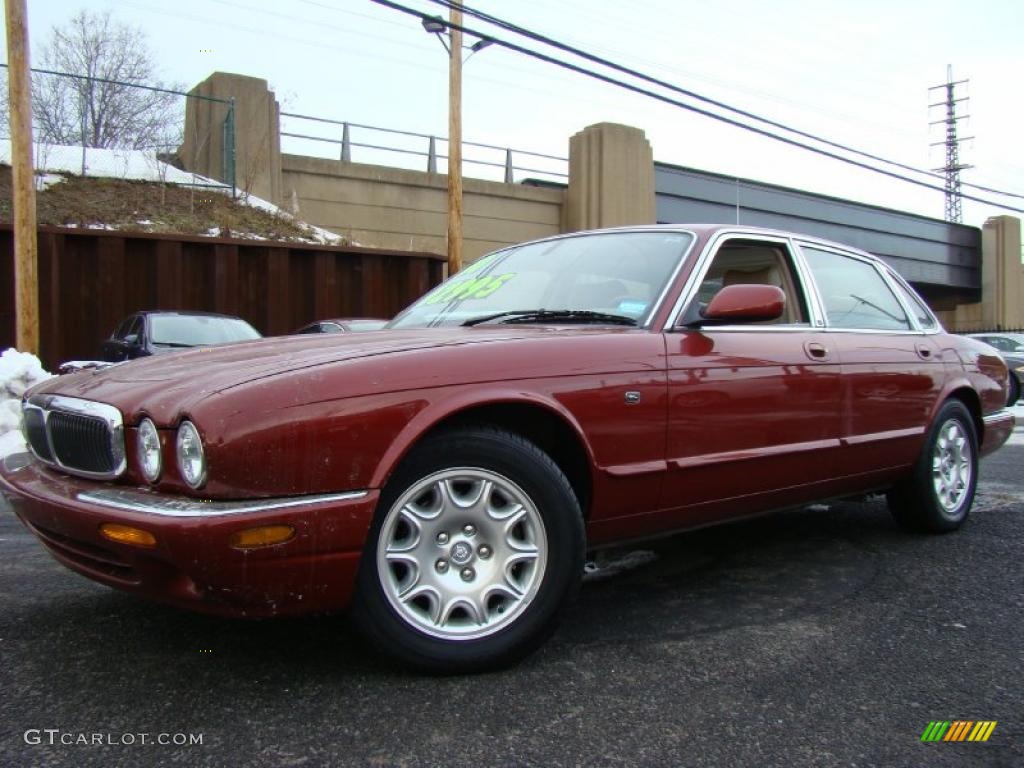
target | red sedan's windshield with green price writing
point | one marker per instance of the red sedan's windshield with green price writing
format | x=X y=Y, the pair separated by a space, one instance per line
x=608 y=278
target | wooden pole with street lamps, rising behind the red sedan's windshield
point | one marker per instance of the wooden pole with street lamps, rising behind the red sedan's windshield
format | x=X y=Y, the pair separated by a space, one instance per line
x=438 y=26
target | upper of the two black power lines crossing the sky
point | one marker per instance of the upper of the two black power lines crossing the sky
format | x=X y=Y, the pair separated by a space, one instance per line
x=538 y=37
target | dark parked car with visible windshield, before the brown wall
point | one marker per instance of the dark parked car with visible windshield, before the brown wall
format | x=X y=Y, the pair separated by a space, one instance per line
x=143 y=334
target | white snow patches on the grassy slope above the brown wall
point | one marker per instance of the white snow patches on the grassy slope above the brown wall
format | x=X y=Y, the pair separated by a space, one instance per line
x=143 y=165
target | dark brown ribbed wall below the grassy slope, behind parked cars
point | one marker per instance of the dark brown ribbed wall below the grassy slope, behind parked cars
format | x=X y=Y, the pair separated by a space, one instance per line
x=90 y=280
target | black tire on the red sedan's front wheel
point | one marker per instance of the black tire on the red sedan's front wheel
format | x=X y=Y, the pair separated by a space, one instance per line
x=382 y=616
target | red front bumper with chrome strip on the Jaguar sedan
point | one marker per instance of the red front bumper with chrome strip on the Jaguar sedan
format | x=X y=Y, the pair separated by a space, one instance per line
x=193 y=565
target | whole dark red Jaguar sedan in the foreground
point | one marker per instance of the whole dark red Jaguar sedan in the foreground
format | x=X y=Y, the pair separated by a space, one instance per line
x=446 y=479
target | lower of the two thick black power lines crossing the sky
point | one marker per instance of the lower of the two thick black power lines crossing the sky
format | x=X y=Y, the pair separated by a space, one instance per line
x=684 y=106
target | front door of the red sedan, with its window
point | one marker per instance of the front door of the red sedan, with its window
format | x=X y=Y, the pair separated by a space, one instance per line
x=754 y=413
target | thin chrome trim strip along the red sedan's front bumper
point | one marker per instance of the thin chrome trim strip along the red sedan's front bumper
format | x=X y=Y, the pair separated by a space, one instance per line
x=178 y=506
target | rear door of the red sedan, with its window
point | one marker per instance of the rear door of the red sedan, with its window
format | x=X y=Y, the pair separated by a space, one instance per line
x=892 y=369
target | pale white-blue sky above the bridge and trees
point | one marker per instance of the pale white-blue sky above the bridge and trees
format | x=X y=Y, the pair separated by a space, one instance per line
x=857 y=73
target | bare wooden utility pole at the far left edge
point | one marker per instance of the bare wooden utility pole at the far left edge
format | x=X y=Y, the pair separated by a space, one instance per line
x=24 y=192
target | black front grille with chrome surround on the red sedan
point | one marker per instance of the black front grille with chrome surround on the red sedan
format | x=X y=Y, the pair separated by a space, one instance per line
x=80 y=438
